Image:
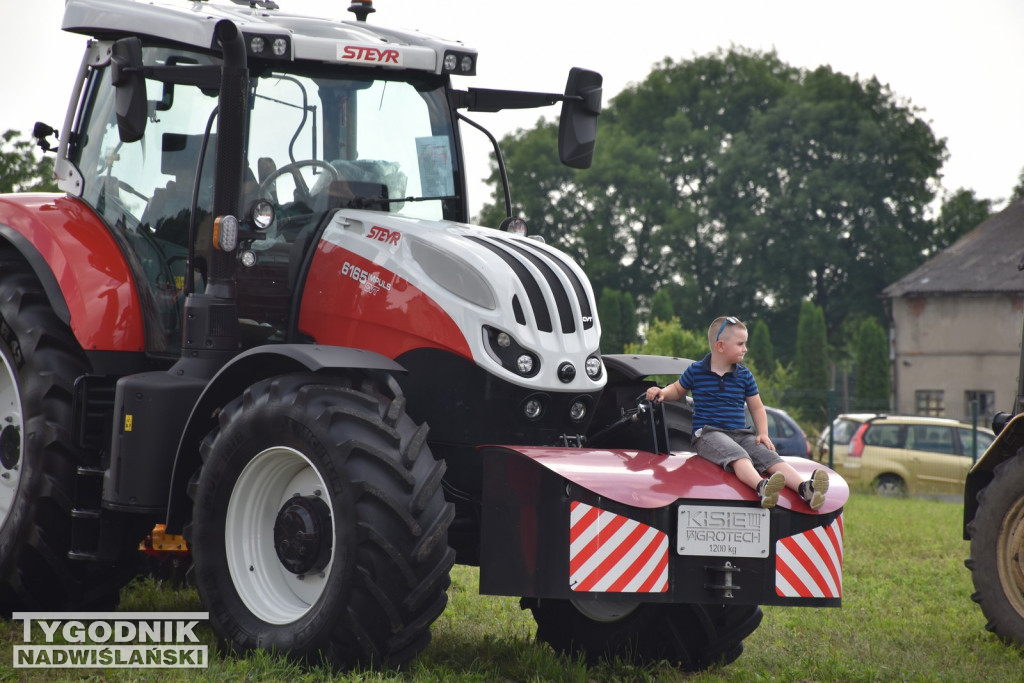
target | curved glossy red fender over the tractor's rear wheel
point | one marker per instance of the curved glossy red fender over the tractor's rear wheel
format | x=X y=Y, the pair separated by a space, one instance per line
x=89 y=266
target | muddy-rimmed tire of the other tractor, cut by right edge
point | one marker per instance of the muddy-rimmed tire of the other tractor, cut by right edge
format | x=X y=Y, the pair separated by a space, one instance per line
x=997 y=561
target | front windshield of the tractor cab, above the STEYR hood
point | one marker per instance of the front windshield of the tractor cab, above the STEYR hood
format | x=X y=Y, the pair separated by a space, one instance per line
x=319 y=141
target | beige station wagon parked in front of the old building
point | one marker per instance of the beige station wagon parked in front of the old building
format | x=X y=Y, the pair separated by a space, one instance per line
x=911 y=455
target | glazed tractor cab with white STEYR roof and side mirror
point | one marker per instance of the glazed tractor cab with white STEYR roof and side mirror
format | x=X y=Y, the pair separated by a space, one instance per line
x=316 y=117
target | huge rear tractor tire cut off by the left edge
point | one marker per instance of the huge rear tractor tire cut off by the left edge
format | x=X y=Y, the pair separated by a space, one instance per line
x=39 y=363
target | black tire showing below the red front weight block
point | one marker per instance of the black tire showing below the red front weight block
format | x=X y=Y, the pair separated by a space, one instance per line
x=692 y=637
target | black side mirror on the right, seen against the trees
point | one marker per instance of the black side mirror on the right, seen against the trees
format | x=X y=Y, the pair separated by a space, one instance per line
x=578 y=125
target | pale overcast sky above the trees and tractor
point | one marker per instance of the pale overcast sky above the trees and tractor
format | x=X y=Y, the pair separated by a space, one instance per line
x=958 y=62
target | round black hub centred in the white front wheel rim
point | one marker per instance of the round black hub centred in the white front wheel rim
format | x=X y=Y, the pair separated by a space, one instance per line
x=303 y=535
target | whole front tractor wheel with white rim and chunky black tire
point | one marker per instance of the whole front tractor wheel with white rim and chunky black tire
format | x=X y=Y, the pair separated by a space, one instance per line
x=358 y=568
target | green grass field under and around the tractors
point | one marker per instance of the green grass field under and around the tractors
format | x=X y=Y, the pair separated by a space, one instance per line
x=907 y=616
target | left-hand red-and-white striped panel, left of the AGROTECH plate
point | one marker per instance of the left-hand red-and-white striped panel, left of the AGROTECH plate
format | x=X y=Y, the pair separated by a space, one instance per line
x=610 y=553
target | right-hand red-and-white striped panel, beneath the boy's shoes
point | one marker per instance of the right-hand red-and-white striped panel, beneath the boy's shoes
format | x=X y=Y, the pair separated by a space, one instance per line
x=810 y=565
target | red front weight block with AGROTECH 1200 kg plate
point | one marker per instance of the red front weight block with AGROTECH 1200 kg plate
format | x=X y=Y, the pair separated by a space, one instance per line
x=577 y=524
